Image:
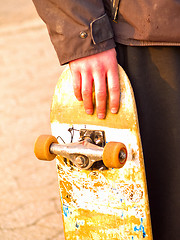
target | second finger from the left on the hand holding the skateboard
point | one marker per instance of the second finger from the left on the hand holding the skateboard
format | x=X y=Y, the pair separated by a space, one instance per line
x=87 y=83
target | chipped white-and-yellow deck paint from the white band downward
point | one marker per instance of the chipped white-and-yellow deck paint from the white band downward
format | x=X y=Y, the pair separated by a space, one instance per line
x=91 y=200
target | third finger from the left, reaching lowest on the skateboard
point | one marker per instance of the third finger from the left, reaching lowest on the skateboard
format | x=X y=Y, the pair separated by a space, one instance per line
x=100 y=93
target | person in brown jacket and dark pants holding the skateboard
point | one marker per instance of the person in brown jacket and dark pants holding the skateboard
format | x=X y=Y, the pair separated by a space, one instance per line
x=143 y=36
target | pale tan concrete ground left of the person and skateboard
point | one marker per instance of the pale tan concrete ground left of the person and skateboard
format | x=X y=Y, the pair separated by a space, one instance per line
x=29 y=69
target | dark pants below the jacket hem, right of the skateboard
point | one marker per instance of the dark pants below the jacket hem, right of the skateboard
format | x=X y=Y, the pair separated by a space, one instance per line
x=154 y=73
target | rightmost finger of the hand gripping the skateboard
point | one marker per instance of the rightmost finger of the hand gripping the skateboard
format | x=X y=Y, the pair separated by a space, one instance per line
x=114 y=89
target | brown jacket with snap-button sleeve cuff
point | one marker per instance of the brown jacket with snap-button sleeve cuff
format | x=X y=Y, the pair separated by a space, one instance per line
x=80 y=28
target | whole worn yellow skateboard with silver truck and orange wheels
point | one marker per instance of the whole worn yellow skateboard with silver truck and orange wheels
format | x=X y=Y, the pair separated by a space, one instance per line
x=100 y=166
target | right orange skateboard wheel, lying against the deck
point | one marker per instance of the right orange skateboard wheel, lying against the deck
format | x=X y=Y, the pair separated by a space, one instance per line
x=114 y=155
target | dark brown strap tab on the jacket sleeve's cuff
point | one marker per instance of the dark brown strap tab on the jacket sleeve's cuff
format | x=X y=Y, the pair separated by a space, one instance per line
x=101 y=29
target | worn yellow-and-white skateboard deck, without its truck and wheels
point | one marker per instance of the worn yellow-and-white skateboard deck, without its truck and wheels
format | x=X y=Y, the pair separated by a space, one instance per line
x=101 y=203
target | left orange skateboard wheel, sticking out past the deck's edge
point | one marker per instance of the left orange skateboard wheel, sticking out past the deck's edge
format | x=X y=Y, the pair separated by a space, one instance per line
x=42 y=147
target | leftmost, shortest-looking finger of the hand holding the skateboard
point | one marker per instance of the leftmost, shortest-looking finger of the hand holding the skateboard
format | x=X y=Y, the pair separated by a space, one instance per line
x=76 y=77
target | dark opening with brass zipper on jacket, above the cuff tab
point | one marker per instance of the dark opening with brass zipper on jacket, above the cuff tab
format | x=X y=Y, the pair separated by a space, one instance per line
x=112 y=7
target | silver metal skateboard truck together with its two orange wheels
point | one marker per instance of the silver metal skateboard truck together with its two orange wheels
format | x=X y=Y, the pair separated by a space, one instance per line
x=91 y=148
